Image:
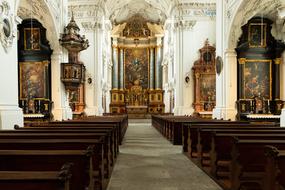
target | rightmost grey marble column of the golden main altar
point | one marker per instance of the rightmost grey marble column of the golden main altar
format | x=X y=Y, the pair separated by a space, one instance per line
x=158 y=69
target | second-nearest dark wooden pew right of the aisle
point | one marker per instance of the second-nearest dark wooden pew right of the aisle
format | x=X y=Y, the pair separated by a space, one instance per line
x=248 y=161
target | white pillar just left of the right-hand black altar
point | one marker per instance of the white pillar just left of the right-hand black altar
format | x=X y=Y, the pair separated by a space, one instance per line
x=226 y=82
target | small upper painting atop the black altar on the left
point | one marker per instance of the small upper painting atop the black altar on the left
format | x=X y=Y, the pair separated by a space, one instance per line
x=32 y=39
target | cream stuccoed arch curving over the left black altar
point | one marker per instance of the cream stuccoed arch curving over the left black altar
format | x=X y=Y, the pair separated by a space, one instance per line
x=46 y=17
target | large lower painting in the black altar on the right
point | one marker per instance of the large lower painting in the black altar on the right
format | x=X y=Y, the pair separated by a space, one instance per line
x=257 y=79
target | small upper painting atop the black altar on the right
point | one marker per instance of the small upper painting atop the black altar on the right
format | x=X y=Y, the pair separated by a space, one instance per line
x=257 y=35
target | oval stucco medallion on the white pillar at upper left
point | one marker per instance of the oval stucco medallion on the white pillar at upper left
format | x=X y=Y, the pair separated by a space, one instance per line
x=6 y=26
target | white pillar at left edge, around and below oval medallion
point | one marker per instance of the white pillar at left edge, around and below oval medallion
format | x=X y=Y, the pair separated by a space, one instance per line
x=10 y=113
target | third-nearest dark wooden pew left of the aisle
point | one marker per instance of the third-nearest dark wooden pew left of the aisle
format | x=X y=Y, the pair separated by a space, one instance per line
x=63 y=144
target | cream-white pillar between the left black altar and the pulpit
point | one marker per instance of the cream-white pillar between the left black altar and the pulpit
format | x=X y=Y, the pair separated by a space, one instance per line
x=61 y=109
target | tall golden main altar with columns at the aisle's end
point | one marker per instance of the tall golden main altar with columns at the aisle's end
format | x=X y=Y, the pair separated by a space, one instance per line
x=137 y=71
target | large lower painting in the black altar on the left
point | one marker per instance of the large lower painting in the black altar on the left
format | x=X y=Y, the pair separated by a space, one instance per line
x=33 y=80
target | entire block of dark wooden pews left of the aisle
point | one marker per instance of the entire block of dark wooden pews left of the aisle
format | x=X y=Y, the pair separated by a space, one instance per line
x=66 y=155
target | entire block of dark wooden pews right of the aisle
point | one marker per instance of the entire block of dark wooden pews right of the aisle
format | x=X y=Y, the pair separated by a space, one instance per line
x=238 y=155
